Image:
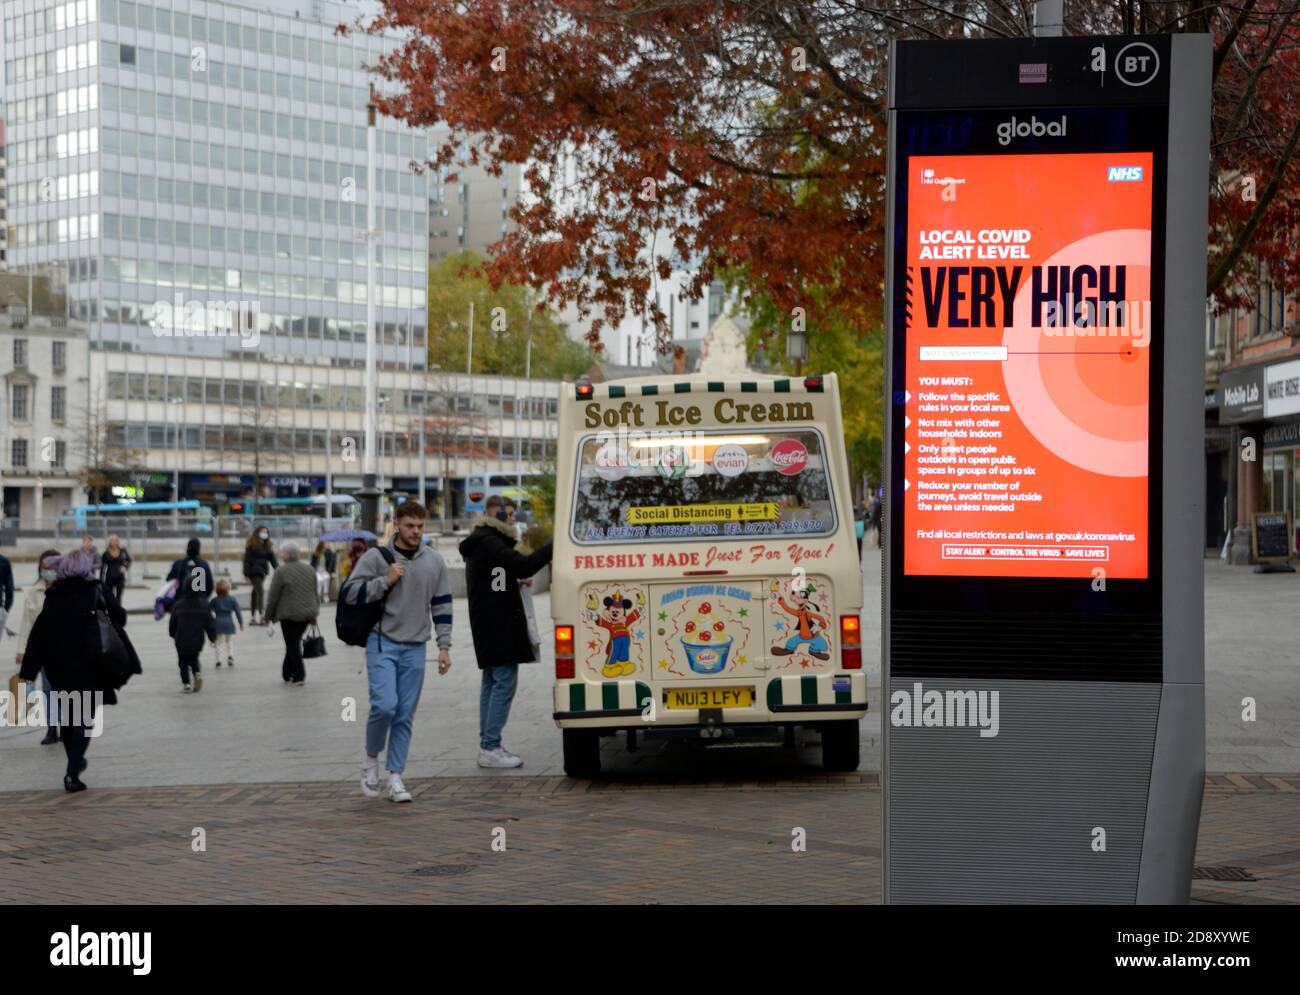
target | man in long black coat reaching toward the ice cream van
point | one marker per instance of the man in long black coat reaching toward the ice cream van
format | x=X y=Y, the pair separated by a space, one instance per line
x=499 y=622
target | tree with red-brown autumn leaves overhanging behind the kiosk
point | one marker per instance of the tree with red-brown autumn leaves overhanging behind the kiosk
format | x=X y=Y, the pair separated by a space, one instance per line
x=752 y=135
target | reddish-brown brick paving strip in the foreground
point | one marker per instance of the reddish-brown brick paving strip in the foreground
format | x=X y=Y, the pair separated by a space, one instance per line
x=636 y=841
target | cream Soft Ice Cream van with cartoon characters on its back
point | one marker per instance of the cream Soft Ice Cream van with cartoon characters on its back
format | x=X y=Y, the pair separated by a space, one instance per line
x=705 y=576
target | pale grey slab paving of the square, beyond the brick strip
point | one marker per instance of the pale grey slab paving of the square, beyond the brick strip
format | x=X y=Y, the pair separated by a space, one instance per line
x=248 y=728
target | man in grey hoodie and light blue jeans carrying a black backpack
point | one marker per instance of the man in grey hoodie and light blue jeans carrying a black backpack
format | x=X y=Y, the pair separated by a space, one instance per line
x=418 y=607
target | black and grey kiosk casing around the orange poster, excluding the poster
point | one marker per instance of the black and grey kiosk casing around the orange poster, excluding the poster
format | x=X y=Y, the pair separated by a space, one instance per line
x=1091 y=790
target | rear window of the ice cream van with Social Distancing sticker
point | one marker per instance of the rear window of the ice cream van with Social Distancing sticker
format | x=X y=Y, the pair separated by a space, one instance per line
x=651 y=487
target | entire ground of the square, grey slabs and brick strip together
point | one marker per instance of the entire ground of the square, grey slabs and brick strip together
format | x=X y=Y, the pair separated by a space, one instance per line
x=268 y=775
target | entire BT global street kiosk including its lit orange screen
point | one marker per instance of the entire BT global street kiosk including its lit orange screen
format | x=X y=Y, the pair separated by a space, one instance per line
x=1043 y=431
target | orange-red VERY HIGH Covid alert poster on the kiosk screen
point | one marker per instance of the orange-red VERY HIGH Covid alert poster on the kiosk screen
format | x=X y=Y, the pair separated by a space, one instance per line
x=1028 y=367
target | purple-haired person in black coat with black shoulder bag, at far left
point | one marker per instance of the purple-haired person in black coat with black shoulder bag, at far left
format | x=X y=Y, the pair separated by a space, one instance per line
x=59 y=647
